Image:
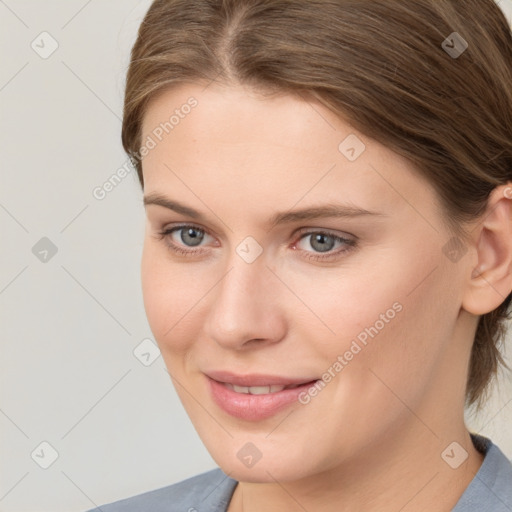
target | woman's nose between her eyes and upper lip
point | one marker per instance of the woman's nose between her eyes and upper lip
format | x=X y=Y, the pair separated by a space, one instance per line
x=245 y=308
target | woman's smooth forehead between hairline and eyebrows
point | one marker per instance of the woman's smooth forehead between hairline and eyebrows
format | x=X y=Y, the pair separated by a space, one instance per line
x=278 y=149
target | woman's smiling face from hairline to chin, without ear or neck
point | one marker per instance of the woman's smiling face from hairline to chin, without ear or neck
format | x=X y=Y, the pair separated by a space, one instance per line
x=293 y=253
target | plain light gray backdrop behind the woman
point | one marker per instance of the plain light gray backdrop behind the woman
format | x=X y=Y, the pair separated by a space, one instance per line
x=70 y=325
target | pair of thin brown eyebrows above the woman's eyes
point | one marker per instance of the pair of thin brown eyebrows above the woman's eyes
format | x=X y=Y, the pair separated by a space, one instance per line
x=319 y=212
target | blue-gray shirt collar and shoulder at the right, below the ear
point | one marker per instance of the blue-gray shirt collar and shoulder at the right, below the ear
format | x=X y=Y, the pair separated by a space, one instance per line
x=491 y=488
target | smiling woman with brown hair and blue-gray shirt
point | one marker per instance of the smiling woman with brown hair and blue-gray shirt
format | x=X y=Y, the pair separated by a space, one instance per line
x=328 y=252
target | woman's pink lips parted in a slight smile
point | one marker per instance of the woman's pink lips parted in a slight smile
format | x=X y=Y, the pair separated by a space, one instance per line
x=255 y=397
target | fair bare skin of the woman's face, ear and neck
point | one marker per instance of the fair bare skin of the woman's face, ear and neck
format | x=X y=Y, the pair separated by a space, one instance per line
x=372 y=439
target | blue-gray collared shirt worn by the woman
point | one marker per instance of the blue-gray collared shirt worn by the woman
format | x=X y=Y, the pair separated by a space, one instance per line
x=489 y=491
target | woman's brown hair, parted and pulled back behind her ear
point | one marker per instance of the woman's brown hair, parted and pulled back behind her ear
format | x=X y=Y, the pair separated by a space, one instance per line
x=384 y=65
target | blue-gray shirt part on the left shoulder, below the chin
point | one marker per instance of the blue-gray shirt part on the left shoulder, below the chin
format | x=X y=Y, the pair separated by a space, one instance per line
x=210 y=491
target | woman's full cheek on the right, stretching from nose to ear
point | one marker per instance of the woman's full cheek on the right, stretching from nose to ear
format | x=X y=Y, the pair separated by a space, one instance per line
x=395 y=317
